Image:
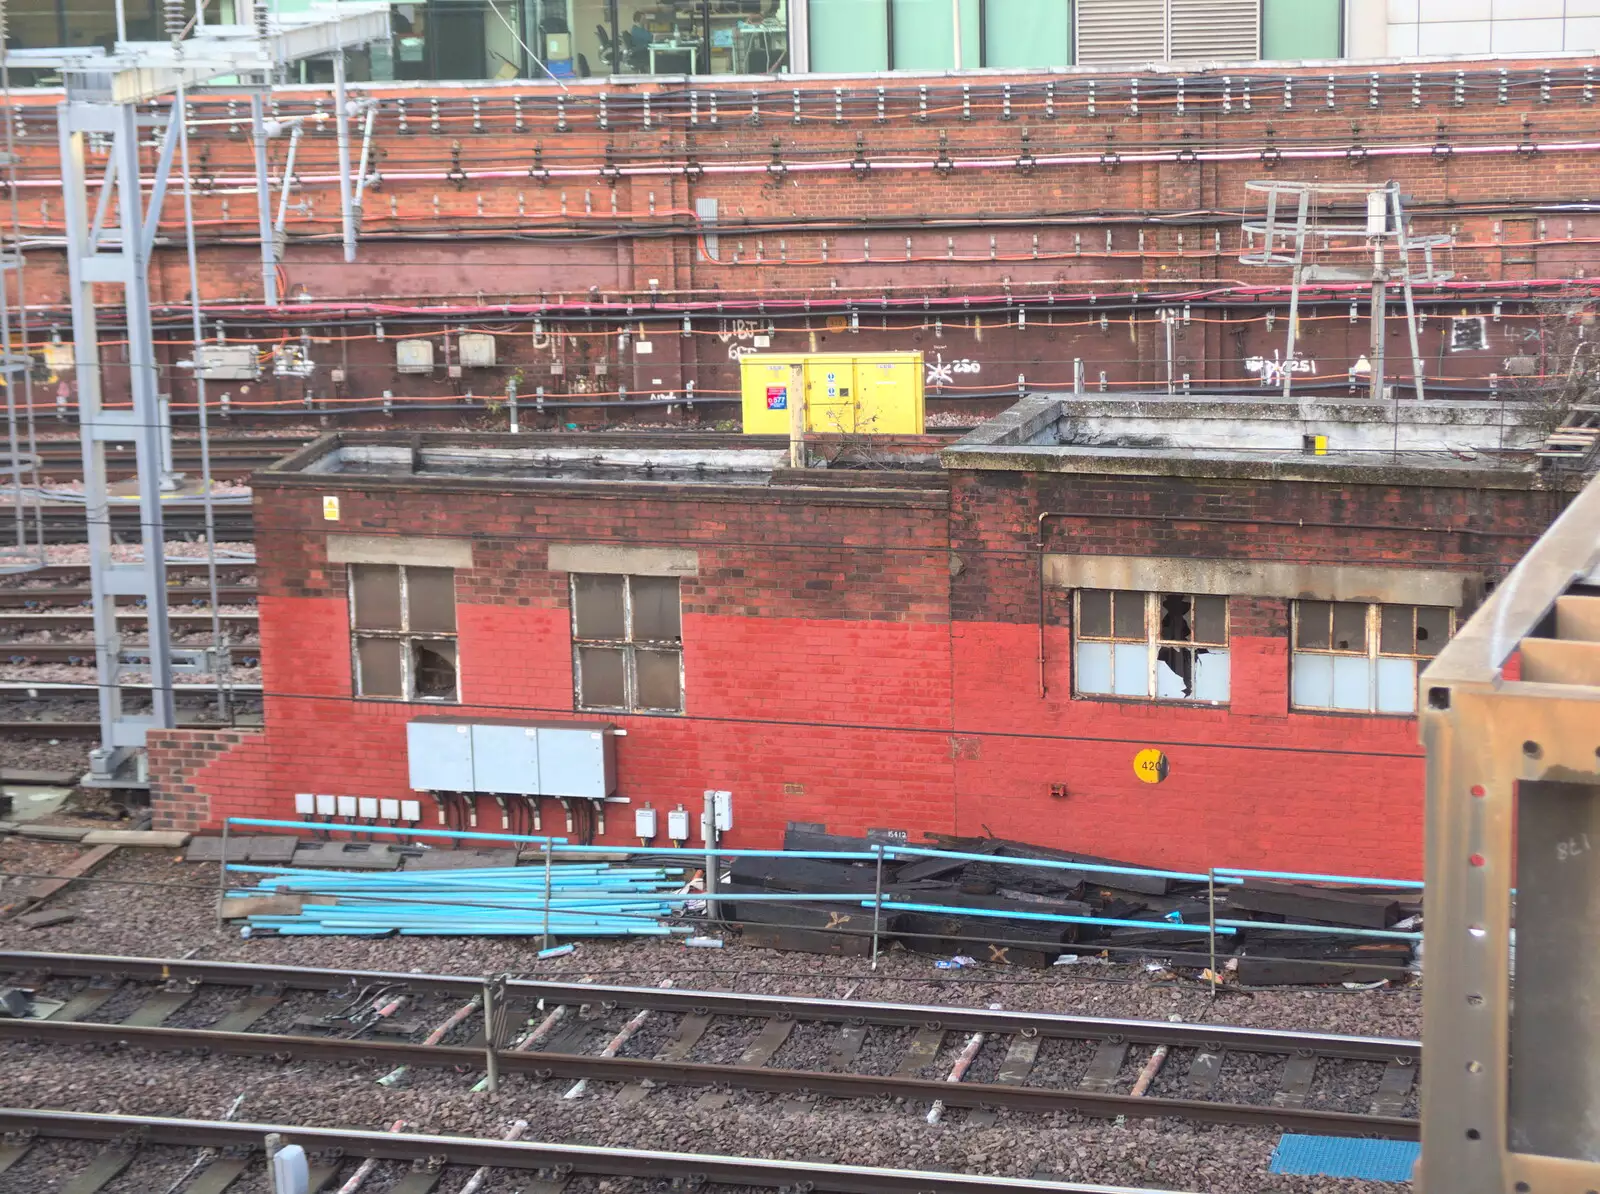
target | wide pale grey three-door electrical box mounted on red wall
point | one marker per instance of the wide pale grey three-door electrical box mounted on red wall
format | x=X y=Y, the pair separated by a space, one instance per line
x=508 y=758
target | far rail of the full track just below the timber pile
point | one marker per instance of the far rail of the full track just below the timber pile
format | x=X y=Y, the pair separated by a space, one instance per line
x=735 y=1004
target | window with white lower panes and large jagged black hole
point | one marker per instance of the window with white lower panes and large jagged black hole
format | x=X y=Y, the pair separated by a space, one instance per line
x=1151 y=646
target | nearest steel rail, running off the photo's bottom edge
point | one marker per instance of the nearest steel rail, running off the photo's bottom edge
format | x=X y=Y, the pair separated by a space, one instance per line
x=524 y=1155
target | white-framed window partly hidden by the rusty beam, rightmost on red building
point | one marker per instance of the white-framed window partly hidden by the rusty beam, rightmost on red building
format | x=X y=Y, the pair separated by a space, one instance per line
x=1353 y=657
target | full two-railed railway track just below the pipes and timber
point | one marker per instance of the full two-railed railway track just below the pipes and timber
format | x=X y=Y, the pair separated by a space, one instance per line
x=796 y=1048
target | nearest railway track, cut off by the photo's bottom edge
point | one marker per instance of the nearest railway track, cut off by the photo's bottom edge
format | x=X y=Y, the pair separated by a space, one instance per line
x=428 y=1163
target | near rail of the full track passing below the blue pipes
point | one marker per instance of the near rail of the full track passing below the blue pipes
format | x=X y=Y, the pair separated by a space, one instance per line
x=543 y=1067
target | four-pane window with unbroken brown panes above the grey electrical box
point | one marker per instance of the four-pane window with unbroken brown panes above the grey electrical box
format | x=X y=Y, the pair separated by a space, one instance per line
x=628 y=644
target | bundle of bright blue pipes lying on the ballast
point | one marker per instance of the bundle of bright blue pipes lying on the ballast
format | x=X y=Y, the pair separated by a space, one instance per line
x=585 y=900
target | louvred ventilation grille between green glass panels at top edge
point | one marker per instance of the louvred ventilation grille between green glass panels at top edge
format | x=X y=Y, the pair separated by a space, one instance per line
x=1158 y=31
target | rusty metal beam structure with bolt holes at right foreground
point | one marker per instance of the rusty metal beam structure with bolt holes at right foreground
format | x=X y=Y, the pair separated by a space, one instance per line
x=1511 y=721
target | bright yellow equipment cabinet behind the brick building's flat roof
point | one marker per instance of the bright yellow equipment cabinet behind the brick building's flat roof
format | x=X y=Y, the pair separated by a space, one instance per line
x=860 y=395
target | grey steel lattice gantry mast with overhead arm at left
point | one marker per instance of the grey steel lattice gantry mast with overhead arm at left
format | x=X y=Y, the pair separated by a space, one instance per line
x=103 y=97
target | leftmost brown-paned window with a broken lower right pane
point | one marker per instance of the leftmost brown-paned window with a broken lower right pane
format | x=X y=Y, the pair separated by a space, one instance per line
x=404 y=633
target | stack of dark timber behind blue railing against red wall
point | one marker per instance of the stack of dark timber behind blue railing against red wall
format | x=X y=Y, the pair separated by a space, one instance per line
x=966 y=889
